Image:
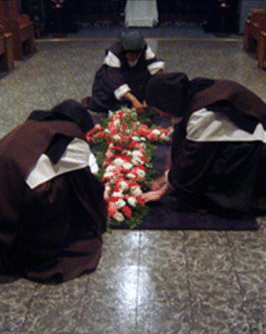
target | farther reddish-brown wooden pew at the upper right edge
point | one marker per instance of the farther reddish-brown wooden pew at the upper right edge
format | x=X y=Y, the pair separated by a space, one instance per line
x=252 y=30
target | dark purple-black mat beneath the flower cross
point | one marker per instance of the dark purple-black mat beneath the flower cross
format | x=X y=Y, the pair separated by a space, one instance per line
x=173 y=213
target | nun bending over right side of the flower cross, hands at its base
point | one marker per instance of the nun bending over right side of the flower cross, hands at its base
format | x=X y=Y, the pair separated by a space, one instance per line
x=218 y=152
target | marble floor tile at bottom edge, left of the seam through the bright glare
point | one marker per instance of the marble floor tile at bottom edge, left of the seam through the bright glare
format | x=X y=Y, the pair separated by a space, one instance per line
x=110 y=303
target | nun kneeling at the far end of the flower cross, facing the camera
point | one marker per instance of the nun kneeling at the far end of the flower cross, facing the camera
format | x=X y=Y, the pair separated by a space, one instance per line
x=121 y=80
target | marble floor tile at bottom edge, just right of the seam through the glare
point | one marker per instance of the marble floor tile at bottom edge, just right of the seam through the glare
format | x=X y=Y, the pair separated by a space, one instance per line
x=163 y=300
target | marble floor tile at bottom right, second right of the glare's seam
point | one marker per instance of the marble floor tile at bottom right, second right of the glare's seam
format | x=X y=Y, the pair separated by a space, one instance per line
x=216 y=303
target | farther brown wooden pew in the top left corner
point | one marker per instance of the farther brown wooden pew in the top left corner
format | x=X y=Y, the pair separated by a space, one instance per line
x=20 y=26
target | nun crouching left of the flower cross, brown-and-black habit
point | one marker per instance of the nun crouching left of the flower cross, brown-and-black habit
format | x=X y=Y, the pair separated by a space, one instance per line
x=52 y=212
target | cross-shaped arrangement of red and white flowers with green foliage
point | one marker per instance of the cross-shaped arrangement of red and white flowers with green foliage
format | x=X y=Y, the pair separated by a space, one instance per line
x=124 y=152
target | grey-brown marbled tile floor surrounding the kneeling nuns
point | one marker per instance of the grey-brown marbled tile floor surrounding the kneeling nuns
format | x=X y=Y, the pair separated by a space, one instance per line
x=156 y=282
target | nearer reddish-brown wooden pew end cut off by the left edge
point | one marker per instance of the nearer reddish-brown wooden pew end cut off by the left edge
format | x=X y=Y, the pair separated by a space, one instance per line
x=6 y=51
